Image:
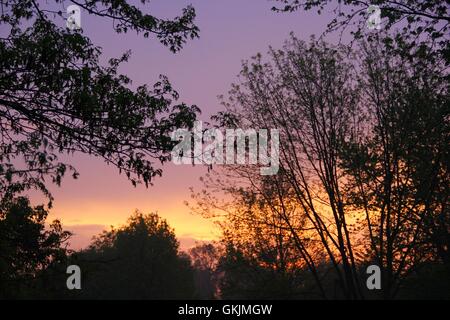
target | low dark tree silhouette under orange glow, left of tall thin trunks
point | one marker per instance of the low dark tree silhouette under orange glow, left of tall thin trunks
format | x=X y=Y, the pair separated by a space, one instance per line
x=250 y=272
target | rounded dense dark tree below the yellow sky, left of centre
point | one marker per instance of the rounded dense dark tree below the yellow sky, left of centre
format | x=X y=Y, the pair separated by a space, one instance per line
x=137 y=261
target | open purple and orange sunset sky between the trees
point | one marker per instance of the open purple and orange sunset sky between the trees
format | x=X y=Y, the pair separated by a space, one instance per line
x=230 y=31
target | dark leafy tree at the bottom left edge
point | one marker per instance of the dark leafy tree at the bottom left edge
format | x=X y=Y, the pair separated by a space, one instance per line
x=28 y=249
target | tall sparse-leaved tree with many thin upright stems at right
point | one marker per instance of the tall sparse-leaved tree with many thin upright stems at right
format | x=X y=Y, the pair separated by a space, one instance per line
x=352 y=207
